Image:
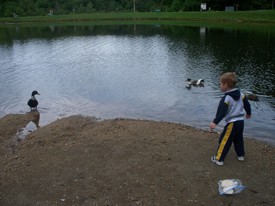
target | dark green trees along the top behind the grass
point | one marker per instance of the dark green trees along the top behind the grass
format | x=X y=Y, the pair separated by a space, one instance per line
x=9 y=8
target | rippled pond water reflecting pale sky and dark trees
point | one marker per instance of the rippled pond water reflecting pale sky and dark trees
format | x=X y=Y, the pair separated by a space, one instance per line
x=134 y=71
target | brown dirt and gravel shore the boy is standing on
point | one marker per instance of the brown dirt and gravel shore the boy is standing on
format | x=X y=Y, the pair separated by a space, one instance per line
x=81 y=161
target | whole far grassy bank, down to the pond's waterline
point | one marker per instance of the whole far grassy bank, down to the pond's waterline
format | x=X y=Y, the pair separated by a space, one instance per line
x=263 y=20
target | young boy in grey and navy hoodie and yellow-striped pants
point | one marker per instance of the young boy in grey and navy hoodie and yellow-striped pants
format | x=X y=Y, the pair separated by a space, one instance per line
x=231 y=107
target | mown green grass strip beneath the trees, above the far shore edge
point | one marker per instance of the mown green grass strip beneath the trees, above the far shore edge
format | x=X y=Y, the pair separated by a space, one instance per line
x=253 y=17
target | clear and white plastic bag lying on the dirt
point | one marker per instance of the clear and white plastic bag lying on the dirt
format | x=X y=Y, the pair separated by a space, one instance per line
x=230 y=186
